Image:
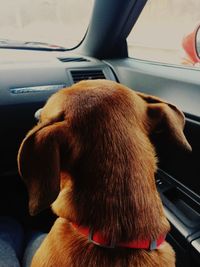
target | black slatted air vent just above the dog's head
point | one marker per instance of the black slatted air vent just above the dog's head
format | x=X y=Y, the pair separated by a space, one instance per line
x=79 y=75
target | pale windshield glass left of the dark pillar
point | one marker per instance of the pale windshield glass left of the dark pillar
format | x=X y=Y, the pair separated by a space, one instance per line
x=58 y=22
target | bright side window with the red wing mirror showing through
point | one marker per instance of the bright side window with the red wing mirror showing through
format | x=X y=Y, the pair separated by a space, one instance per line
x=160 y=30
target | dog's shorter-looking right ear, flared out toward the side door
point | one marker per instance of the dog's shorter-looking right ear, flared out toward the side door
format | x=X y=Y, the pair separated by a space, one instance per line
x=166 y=118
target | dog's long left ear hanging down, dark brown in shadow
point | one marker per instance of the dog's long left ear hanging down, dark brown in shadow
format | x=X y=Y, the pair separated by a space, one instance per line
x=39 y=164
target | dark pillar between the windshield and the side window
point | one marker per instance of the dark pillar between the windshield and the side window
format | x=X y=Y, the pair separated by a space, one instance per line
x=111 y=22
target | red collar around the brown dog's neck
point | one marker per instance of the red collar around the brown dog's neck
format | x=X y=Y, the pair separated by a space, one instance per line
x=97 y=239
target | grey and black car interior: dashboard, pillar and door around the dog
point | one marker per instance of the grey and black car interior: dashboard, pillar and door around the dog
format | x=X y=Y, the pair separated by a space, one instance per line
x=28 y=80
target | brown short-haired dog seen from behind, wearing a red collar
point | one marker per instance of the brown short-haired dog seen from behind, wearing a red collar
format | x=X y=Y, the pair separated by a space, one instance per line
x=91 y=156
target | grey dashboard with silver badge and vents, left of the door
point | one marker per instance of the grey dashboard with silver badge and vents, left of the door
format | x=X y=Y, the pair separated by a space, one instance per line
x=28 y=78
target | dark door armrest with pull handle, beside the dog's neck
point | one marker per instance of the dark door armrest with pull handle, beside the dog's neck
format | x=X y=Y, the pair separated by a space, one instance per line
x=182 y=206
